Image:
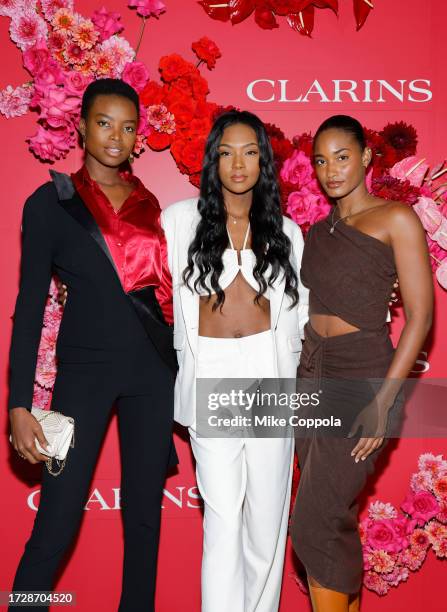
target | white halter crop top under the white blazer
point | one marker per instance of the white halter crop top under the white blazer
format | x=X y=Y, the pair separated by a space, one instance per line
x=232 y=267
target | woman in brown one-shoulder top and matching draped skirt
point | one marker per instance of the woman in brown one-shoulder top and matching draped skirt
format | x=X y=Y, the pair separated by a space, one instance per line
x=350 y=262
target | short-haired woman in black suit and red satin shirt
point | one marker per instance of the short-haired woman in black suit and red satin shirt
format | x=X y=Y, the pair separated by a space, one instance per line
x=99 y=231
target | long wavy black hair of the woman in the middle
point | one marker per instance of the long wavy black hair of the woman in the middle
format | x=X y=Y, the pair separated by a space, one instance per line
x=269 y=243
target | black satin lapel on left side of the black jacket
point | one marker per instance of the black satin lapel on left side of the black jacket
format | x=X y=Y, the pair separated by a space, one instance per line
x=74 y=206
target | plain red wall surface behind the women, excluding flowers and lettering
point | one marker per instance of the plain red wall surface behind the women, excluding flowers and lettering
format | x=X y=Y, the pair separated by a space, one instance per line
x=404 y=39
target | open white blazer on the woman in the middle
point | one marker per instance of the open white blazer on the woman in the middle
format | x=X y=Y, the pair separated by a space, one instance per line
x=179 y=222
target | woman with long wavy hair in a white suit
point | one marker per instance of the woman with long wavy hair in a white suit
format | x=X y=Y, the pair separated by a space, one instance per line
x=239 y=311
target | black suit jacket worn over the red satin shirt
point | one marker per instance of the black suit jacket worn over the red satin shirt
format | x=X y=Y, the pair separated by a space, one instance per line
x=59 y=235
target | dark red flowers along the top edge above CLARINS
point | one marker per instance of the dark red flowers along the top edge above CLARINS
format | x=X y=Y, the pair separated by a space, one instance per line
x=300 y=14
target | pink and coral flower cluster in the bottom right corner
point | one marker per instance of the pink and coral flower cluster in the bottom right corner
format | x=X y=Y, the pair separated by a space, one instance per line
x=397 y=543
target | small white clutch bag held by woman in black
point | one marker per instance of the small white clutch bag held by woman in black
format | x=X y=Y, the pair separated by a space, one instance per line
x=58 y=429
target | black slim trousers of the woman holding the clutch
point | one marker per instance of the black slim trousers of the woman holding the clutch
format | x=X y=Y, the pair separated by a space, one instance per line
x=88 y=383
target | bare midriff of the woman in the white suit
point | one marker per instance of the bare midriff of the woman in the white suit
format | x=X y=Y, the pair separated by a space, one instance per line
x=240 y=315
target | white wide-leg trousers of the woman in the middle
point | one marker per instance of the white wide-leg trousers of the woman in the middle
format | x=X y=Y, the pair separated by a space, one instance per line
x=245 y=484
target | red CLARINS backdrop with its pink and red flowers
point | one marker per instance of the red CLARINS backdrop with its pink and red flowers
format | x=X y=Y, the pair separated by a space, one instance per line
x=293 y=63
